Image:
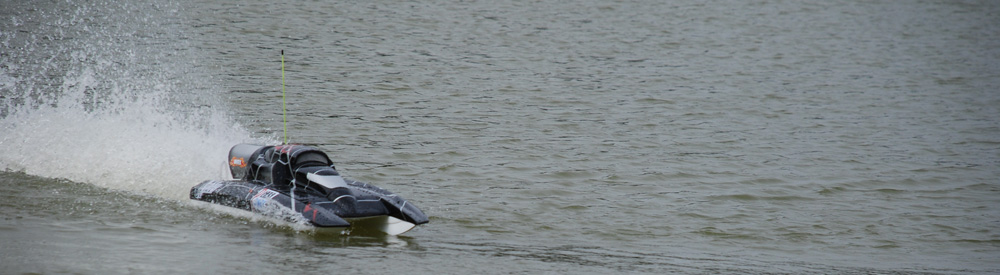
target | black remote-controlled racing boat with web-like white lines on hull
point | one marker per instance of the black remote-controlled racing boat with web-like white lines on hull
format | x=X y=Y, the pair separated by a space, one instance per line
x=298 y=182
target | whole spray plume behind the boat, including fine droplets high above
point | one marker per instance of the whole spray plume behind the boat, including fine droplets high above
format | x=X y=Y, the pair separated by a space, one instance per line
x=108 y=95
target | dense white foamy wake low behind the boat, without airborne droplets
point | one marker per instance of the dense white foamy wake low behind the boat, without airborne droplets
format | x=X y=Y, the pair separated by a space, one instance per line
x=133 y=149
